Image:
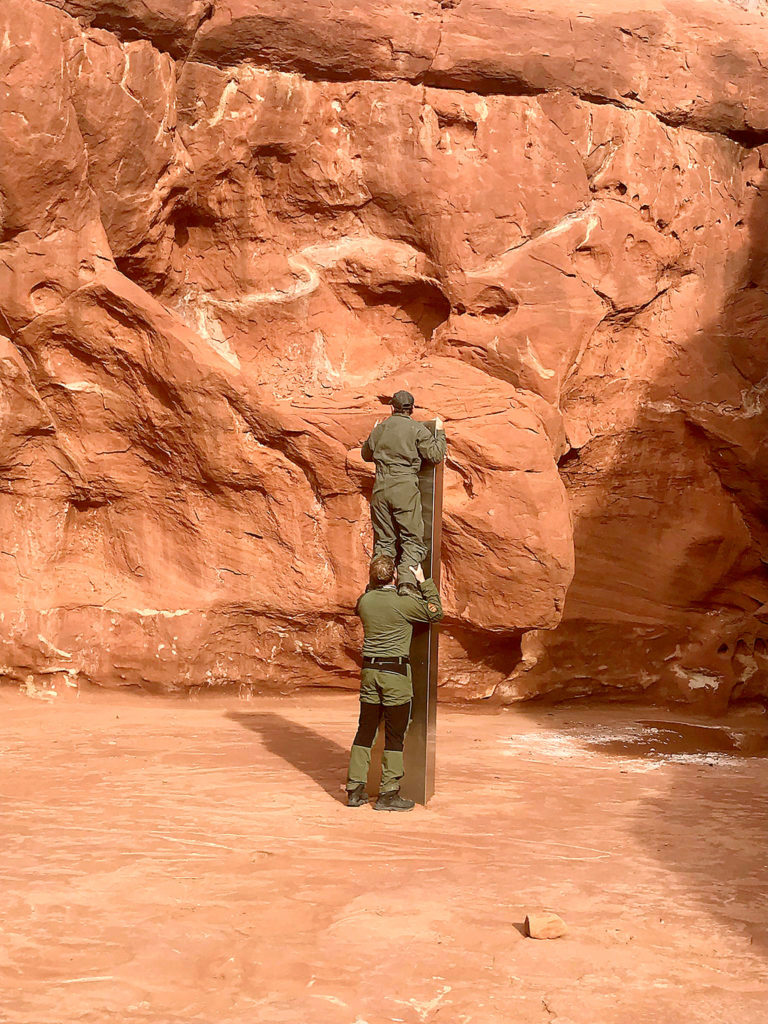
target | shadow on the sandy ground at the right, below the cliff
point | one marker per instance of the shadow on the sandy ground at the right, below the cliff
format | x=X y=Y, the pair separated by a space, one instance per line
x=708 y=826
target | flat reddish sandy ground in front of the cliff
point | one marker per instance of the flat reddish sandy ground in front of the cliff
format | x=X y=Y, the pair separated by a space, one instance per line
x=178 y=863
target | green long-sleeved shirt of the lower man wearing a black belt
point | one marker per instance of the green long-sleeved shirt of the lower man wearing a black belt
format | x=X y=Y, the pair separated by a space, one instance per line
x=389 y=619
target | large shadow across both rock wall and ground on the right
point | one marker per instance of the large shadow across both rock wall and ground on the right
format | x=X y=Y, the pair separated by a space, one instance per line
x=703 y=617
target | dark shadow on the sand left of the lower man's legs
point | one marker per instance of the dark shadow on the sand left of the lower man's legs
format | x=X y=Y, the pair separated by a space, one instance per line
x=309 y=752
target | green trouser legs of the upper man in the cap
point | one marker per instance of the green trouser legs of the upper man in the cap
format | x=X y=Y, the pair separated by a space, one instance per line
x=398 y=522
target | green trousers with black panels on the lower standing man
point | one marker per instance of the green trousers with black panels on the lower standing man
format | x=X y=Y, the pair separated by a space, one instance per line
x=388 y=696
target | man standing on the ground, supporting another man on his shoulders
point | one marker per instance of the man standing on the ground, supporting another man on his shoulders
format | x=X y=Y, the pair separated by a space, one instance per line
x=387 y=690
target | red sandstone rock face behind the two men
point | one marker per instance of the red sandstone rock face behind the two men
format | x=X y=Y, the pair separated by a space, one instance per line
x=229 y=229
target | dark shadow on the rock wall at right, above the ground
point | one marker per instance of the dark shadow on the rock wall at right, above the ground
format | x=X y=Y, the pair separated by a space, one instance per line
x=670 y=596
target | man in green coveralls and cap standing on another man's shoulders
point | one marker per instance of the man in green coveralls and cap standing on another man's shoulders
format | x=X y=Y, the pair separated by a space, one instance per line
x=398 y=447
